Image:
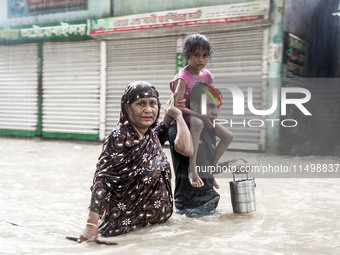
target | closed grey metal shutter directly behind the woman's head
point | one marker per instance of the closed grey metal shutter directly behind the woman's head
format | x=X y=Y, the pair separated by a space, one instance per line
x=147 y=59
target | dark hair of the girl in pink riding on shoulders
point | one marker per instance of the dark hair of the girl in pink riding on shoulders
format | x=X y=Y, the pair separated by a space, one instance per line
x=191 y=42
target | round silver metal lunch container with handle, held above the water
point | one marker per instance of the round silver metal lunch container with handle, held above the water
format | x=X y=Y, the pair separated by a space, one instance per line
x=243 y=195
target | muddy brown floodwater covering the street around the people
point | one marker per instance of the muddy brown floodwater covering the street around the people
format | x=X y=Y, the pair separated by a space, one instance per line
x=45 y=191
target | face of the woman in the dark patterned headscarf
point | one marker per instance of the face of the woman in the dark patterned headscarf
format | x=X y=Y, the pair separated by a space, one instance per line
x=142 y=113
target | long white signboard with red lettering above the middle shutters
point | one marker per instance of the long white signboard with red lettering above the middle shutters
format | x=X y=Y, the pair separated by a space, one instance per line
x=185 y=17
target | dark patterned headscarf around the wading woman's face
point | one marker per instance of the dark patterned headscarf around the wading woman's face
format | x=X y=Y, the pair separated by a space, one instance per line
x=135 y=91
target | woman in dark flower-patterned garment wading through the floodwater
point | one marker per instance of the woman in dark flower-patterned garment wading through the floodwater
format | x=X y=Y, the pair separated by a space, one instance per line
x=132 y=184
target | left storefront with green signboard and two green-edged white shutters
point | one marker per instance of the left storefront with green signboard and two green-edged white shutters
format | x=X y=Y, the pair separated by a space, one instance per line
x=50 y=81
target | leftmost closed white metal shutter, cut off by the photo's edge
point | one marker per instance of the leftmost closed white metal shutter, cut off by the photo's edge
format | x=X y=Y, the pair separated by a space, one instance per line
x=18 y=89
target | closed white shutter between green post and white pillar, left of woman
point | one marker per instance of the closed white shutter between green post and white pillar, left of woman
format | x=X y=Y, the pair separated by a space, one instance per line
x=71 y=81
